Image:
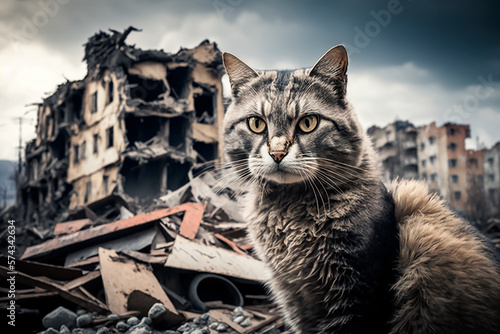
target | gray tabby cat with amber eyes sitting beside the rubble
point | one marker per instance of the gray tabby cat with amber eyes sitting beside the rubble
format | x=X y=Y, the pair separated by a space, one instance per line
x=336 y=242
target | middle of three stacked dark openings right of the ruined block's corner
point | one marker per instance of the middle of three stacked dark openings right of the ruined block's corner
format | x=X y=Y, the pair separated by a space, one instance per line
x=141 y=128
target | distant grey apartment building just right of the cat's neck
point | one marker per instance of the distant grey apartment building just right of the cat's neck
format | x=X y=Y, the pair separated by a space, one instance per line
x=396 y=144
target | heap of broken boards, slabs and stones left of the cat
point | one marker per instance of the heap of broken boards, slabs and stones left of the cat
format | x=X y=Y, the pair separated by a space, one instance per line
x=184 y=267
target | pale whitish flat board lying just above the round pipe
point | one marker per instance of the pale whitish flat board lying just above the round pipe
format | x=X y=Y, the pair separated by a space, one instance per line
x=191 y=255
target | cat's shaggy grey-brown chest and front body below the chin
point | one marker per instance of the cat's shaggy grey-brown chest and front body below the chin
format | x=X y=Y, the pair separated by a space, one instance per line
x=323 y=267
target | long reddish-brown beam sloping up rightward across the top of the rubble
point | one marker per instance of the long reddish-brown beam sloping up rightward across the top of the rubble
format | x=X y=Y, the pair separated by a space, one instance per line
x=75 y=240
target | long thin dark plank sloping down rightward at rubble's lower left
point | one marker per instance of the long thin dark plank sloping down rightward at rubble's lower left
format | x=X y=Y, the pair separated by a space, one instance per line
x=45 y=284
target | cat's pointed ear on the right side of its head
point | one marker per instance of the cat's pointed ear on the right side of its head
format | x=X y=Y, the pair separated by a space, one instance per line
x=332 y=67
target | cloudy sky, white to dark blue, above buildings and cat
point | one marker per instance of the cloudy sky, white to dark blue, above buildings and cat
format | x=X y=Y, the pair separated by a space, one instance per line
x=418 y=60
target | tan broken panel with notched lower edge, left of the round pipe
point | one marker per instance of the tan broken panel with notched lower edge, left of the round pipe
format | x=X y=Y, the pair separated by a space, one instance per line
x=122 y=276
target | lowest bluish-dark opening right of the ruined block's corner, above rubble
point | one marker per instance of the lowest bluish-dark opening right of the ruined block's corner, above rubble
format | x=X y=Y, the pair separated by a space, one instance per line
x=143 y=180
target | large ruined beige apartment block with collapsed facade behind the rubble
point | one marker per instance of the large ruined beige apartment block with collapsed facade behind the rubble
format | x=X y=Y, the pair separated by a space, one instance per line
x=131 y=130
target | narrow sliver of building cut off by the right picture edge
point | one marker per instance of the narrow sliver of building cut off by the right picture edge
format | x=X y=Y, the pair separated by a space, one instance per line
x=492 y=177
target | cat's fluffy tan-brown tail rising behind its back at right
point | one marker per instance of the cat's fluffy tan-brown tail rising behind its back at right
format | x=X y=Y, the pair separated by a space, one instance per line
x=448 y=281
